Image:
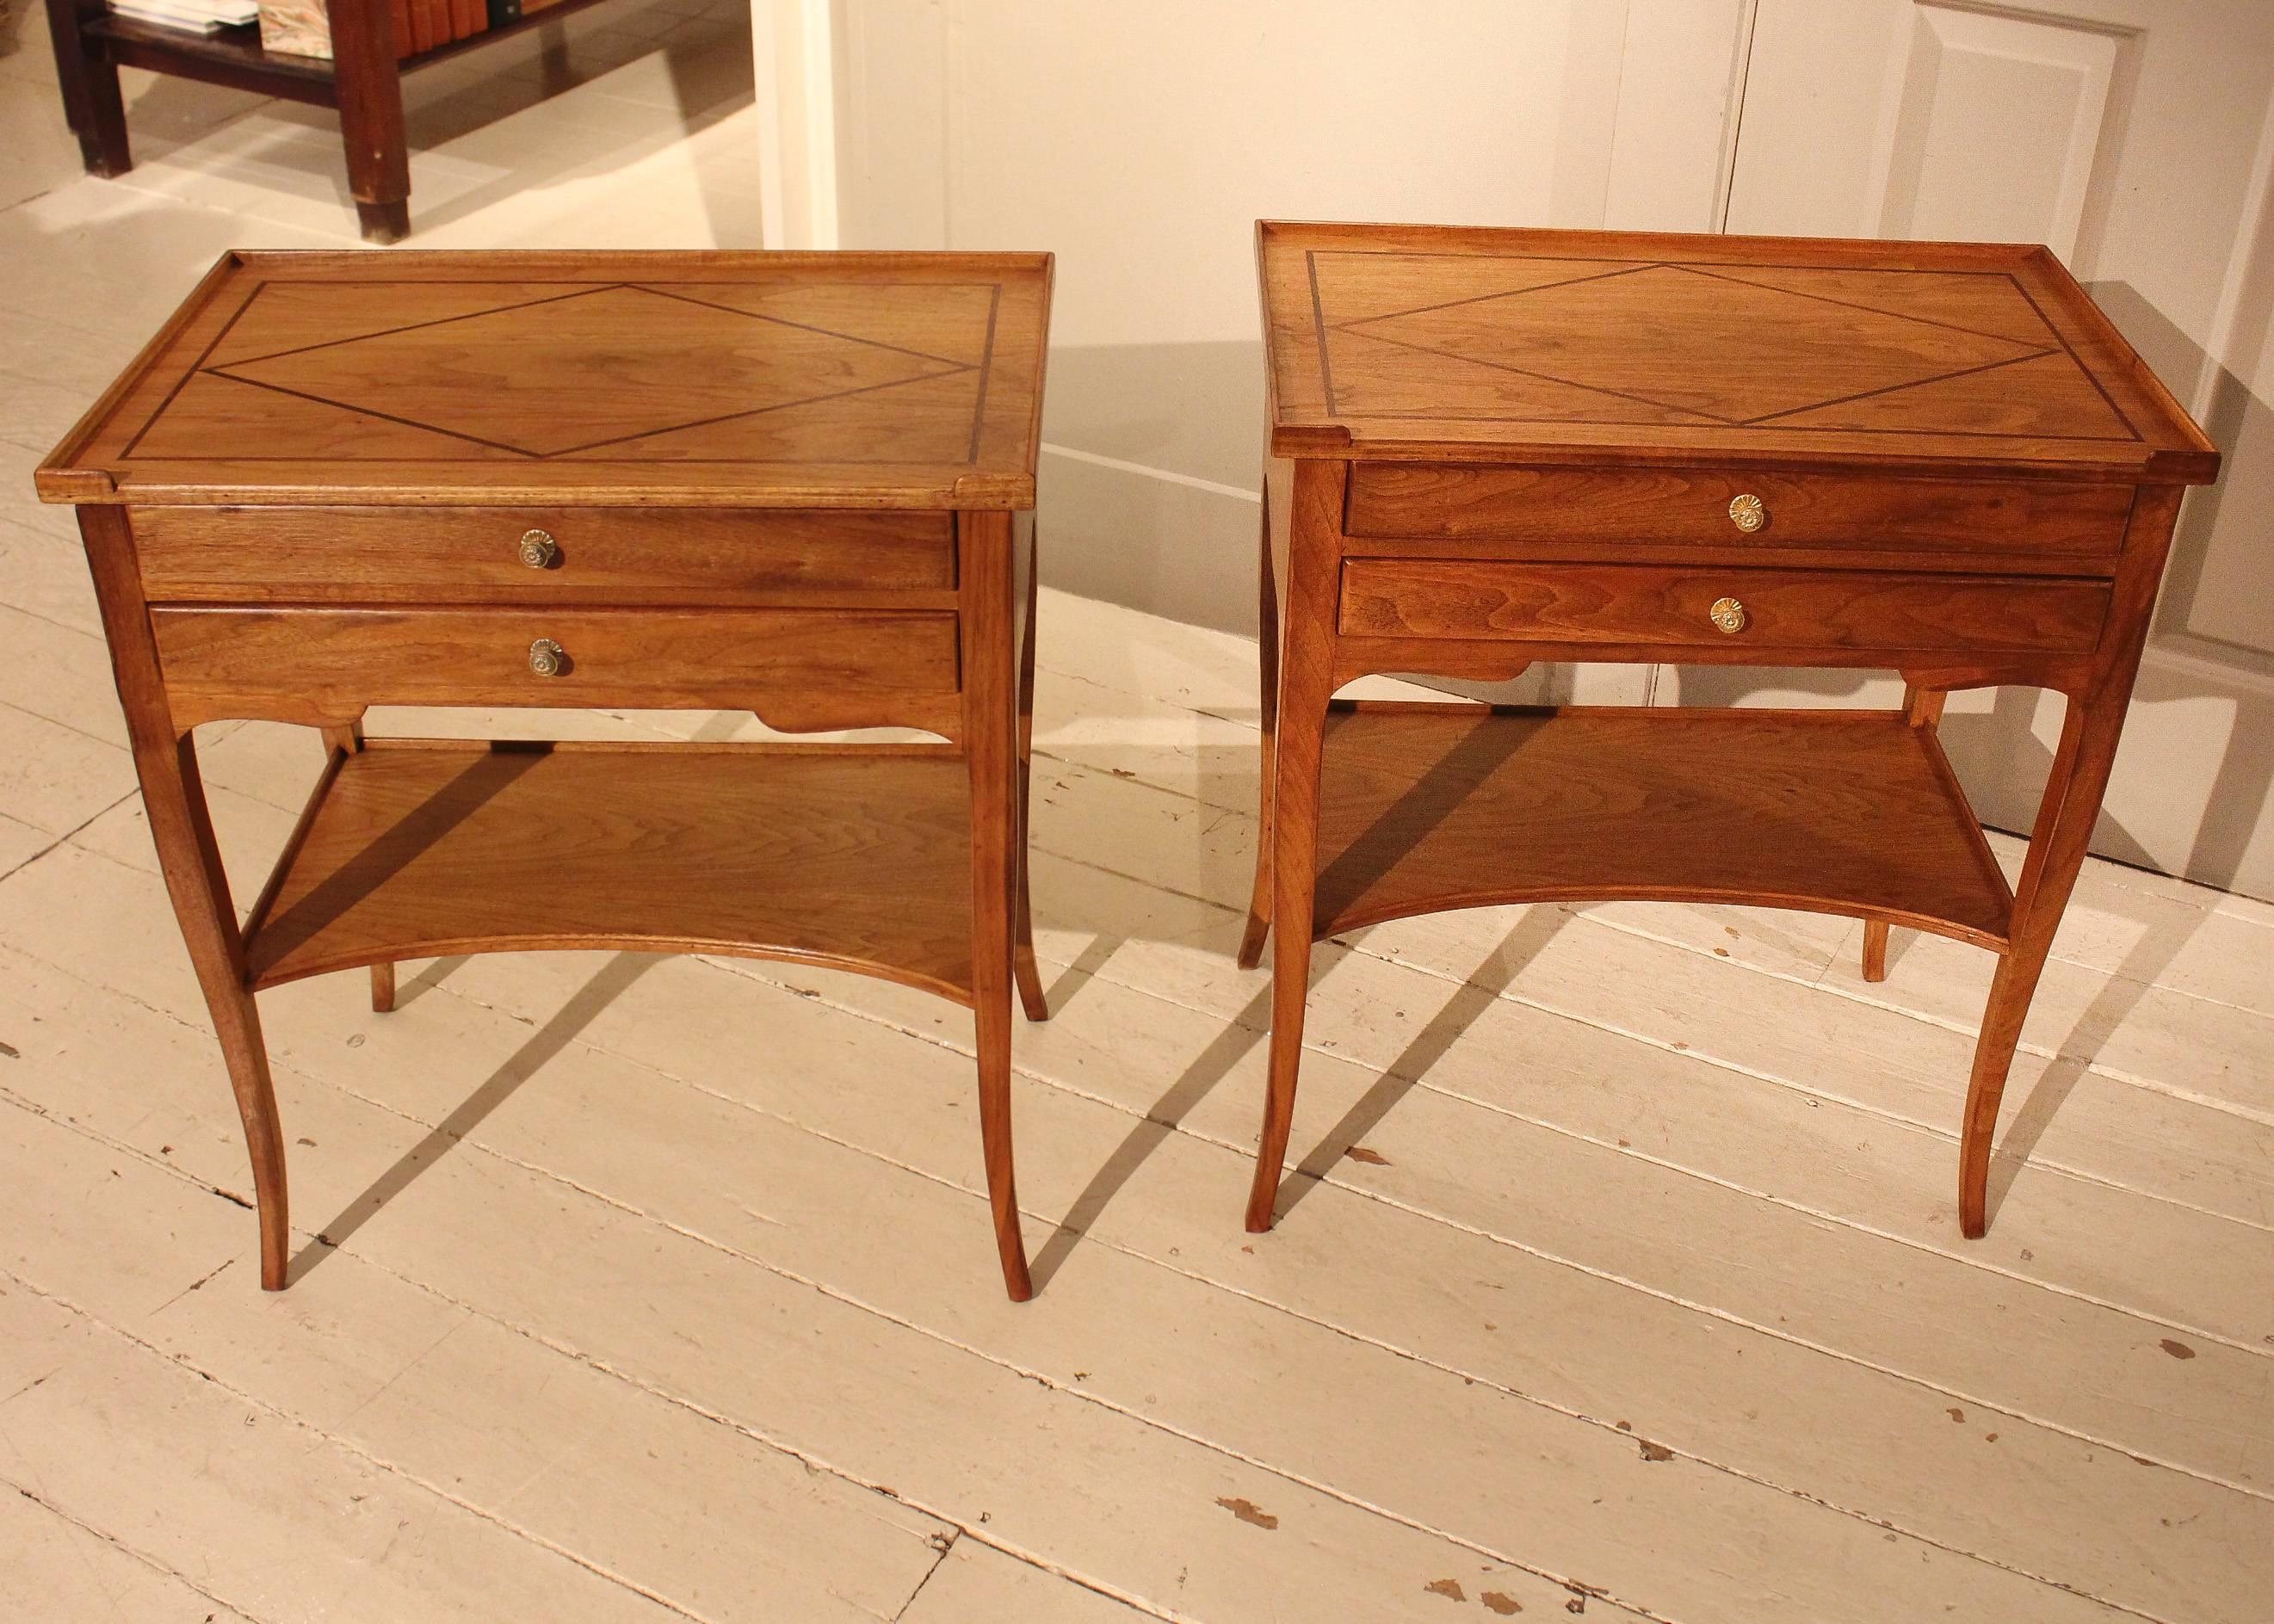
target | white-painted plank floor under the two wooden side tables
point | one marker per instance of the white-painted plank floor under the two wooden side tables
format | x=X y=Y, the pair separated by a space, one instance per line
x=1620 y=1275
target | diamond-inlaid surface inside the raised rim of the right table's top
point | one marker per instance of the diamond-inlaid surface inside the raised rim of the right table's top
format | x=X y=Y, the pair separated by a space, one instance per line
x=1620 y=342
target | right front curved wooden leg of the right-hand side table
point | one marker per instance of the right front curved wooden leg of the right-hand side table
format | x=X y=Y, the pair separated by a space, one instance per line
x=2059 y=843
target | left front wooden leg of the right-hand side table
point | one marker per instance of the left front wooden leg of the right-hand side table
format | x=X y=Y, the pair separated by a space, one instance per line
x=1306 y=683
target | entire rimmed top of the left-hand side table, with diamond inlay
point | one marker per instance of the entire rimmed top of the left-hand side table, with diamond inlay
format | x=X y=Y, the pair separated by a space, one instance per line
x=745 y=379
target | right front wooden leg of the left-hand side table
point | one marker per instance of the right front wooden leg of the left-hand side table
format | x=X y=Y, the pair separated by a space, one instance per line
x=993 y=747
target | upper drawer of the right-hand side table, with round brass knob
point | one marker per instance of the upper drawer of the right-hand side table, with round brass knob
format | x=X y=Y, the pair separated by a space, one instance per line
x=1695 y=508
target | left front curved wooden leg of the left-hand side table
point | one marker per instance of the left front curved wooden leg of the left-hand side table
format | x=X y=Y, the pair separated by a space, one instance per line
x=183 y=831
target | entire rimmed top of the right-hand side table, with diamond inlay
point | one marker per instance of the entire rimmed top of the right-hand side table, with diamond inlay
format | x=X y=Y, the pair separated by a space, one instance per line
x=1666 y=349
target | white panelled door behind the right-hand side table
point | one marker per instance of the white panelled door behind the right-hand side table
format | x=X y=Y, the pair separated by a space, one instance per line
x=2134 y=138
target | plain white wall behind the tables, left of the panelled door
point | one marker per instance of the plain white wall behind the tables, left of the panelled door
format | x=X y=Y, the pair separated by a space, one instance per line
x=1145 y=142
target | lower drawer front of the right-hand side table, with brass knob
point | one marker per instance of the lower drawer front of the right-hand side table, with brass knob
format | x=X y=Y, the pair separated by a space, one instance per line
x=1729 y=608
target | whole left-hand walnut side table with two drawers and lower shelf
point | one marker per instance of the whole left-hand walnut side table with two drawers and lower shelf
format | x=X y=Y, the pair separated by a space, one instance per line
x=795 y=486
